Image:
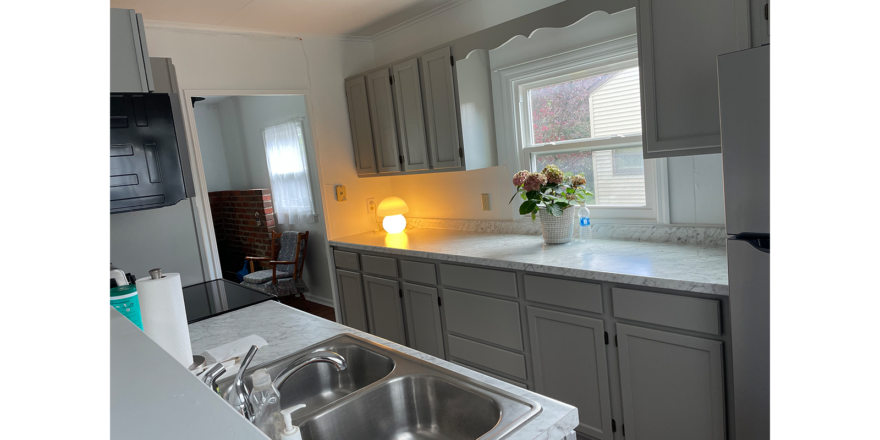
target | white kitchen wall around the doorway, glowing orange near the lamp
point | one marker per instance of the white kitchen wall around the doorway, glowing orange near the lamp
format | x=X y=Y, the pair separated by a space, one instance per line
x=226 y=61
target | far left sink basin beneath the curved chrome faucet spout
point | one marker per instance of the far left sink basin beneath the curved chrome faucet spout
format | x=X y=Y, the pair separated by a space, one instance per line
x=320 y=384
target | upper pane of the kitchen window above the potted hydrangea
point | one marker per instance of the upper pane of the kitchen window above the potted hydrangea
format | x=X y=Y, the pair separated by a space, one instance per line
x=597 y=106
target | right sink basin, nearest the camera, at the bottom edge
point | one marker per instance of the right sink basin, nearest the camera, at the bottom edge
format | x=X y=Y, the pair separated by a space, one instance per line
x=408 y=408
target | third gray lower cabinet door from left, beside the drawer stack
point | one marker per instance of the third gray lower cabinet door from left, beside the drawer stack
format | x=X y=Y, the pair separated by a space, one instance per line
x=423 y=319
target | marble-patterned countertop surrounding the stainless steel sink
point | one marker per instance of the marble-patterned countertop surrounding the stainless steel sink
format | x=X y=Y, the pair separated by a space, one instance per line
x=288 y=330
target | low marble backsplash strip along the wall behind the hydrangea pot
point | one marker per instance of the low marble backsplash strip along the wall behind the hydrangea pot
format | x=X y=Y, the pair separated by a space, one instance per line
x=692 y=235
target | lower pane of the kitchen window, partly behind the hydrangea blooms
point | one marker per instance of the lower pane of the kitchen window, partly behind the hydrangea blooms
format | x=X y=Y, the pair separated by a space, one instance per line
x=615 y=177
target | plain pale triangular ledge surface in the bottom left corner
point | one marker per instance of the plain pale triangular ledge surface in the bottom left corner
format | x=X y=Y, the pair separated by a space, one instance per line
x=153 y=397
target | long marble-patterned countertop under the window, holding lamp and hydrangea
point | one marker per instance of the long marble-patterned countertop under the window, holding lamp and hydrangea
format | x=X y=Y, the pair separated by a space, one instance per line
x=684 y=267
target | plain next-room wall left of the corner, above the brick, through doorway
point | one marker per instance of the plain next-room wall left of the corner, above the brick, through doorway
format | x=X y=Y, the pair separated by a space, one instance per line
x=211 y=144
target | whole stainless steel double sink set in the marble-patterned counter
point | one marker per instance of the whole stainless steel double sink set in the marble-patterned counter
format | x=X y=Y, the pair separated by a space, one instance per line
x=388 y=395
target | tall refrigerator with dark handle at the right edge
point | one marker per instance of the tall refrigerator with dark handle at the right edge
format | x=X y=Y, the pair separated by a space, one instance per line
x=744 y=92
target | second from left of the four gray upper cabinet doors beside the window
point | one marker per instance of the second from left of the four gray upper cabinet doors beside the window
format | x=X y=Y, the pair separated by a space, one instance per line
x=382 y=117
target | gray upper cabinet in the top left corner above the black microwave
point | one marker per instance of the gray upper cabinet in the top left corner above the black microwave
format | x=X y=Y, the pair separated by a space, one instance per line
x=130 y=70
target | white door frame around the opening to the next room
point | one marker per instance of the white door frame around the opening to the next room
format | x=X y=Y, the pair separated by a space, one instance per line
x=202 y=206
